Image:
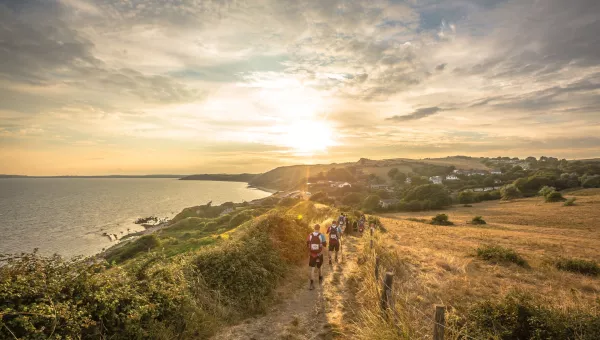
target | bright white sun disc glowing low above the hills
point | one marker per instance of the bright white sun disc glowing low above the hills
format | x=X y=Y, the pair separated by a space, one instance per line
x=308 y=137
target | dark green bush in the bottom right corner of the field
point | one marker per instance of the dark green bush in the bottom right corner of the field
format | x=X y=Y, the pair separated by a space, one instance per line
x=519 y=316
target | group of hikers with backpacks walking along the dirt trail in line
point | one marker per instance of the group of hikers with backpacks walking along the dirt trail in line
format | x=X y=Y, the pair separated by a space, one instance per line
x=317 y=242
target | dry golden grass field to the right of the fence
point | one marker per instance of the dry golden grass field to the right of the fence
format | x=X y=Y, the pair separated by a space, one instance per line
x=439 y=264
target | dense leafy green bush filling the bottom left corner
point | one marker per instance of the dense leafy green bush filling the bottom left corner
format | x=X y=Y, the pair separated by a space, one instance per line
x=53 y=298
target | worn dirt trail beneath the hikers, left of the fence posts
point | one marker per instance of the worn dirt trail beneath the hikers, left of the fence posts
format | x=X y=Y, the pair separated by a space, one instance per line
x=305 y=314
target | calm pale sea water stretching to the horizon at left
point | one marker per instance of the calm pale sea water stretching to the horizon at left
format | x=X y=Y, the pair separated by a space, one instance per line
x=69 y=215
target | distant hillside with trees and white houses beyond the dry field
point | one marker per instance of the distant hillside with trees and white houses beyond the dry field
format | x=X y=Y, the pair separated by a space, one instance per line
x=382 y=186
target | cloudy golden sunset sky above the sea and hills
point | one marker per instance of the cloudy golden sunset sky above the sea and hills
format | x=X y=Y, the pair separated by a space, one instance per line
x=197 y=86
